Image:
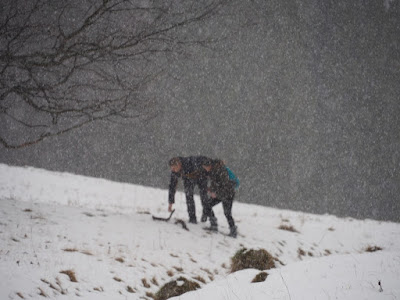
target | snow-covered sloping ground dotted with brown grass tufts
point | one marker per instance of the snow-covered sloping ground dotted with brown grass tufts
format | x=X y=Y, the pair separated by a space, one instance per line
x=52 y=223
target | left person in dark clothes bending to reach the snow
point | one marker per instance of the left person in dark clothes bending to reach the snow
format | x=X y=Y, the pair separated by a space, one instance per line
x=191 y=171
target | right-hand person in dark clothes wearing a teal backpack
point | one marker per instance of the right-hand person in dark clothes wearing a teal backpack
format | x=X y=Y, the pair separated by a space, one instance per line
x=222 y=189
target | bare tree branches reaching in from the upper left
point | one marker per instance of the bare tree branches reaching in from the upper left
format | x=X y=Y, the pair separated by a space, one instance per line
x=64 y=64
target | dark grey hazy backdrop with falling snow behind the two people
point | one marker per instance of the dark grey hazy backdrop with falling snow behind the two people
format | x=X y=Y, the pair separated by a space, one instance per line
x=302 y=100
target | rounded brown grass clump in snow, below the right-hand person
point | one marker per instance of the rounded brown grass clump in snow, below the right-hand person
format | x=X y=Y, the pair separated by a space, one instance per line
x=252 y=259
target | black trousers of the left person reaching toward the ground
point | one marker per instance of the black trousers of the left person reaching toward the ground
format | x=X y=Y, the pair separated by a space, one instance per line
x=189 y=185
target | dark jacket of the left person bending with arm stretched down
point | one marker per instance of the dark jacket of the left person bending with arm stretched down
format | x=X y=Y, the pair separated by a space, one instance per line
x=192 y=169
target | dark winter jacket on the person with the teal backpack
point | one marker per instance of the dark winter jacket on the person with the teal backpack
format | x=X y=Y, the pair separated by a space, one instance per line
x=221 y=185
